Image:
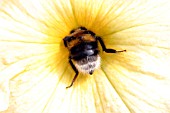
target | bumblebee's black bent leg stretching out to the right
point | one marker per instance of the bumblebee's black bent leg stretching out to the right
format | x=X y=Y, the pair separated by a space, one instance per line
x=104 y=47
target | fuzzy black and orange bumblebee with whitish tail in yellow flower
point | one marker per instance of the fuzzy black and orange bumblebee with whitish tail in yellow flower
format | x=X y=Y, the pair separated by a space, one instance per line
x=83 y=51
